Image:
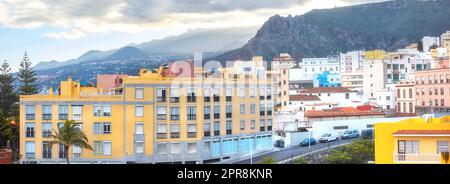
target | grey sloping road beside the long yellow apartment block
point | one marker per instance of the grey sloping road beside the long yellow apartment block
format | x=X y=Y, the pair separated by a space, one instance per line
x=289 y=153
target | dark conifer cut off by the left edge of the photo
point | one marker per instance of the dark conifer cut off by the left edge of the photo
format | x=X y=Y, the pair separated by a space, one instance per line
x=7 y=95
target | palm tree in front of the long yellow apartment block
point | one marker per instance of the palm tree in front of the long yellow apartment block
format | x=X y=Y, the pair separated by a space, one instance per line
x=69 y=135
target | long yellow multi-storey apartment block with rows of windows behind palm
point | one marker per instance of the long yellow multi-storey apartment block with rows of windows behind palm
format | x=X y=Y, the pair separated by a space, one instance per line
x=168 y=115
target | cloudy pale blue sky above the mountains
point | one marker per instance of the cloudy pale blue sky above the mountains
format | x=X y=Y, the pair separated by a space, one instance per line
x=65 y=29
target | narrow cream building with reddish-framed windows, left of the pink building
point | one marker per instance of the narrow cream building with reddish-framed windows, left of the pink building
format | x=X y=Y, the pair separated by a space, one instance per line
x=405 y=98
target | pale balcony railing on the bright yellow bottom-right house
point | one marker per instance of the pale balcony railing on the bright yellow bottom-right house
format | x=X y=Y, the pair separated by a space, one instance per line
x=417 y=158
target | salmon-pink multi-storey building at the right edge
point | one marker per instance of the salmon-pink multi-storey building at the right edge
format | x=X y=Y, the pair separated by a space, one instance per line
x=432 y=91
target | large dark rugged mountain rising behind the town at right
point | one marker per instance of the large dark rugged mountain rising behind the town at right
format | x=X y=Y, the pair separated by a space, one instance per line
x=387 y=25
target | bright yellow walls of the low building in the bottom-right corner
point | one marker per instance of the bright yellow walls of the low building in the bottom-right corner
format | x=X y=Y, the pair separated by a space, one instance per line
x=386 y=143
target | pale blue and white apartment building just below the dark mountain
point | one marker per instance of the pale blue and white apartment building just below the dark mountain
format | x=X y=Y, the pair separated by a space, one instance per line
x=311 y=66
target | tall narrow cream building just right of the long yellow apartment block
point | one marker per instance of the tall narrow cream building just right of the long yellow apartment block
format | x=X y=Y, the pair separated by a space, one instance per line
x=280 y=77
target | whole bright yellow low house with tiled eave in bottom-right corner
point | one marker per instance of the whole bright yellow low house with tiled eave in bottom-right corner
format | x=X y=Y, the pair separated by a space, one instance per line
x=412 y=141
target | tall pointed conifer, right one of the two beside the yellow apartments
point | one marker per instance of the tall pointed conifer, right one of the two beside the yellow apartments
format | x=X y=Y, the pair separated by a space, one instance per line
x=27 y=77
